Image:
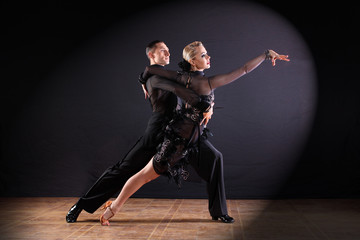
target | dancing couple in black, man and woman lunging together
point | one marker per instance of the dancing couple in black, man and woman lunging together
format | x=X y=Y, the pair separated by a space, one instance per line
x=176 y=134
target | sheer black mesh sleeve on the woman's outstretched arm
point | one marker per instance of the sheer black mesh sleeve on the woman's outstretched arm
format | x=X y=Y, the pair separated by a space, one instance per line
x=223 y=79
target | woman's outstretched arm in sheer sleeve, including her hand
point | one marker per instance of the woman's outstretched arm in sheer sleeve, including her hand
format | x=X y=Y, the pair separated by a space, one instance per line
x=223 y=79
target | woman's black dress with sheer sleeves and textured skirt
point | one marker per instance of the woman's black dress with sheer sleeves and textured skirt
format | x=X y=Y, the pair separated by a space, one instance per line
x=183 y=131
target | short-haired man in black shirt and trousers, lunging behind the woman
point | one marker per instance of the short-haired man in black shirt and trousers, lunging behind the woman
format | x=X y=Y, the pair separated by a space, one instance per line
x=163 y=102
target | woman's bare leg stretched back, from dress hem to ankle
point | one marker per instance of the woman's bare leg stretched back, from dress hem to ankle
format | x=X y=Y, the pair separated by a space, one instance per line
x=145 y=175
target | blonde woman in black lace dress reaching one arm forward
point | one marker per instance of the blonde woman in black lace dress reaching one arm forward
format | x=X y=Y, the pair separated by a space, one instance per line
x=182 y=133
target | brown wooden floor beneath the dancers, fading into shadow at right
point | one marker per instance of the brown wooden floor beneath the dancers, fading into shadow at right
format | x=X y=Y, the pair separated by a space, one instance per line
x=44 y=218
